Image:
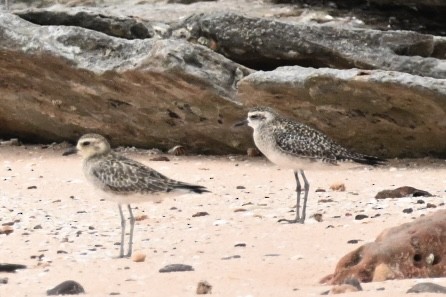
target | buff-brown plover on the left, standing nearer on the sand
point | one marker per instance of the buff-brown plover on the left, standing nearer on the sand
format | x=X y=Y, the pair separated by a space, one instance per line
x=125 y=180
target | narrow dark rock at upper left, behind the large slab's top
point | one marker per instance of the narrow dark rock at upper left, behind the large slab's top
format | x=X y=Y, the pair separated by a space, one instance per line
x=128 y=28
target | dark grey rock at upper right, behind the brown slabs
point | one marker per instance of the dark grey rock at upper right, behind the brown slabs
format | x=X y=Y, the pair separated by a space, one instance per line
x=266 y=44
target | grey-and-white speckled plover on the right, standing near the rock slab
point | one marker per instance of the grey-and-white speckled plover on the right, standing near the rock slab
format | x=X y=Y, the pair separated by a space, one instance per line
x=294 y=145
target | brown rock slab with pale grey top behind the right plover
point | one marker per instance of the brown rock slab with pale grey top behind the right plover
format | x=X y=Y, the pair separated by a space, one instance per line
x=388 y=113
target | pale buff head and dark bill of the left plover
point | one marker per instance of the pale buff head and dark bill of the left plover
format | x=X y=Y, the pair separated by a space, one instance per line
x=90 y=145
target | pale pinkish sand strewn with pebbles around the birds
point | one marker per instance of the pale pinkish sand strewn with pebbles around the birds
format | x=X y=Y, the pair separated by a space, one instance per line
x=63 y=231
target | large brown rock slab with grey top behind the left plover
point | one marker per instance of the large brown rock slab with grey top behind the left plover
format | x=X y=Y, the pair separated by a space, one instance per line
x=60 y=82
